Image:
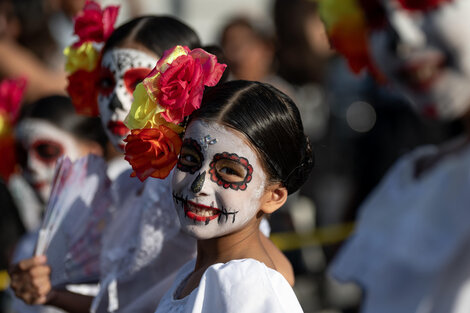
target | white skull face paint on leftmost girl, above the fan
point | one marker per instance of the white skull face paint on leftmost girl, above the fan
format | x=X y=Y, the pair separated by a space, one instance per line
x=44 y=144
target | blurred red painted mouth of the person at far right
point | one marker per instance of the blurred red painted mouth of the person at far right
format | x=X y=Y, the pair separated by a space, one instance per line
x=421 y=74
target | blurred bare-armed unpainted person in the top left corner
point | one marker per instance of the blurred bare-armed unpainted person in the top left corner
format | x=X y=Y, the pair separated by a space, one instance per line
x=28 y=48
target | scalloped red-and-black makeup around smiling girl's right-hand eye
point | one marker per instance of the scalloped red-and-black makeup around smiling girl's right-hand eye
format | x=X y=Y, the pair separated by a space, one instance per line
x=230 y=171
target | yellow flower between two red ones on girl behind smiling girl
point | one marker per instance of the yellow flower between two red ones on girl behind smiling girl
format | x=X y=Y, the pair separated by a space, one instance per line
x=85 y=57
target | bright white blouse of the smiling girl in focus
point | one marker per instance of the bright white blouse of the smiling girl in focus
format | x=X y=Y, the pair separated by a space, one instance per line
x=244 y=285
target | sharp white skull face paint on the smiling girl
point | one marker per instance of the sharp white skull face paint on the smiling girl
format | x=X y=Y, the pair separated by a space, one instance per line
x=217 y=186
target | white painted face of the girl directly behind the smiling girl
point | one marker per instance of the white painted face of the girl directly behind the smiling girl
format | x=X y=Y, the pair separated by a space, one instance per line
x=115 y=106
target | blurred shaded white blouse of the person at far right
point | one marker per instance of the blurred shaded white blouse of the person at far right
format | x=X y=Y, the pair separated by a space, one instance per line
x=410 y=251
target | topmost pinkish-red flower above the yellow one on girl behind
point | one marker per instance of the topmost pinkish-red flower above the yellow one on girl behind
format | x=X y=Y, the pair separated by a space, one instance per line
x=95 y=24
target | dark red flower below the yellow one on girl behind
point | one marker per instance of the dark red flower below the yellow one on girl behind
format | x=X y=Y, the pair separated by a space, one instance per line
x=83 y=90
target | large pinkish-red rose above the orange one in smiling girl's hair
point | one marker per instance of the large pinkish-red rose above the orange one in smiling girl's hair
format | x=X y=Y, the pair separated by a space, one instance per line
x=181 y=85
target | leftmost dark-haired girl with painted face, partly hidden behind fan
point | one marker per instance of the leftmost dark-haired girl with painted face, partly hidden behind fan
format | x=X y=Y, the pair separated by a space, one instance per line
x=48 y=129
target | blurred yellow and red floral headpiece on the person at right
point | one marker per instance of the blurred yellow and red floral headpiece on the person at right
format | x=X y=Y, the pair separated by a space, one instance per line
x=348 y=23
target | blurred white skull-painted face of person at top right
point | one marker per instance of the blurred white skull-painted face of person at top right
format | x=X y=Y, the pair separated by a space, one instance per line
x=426 y=55
